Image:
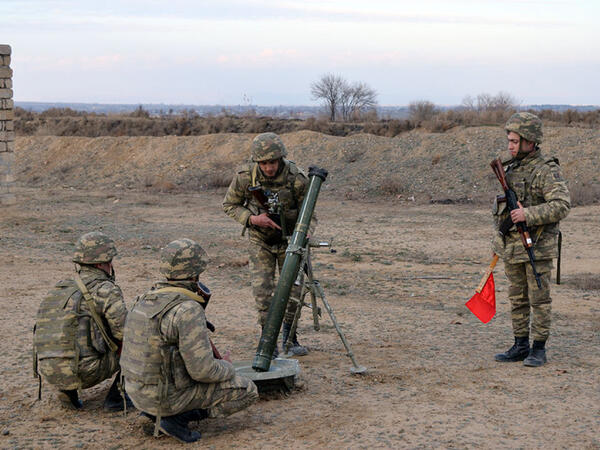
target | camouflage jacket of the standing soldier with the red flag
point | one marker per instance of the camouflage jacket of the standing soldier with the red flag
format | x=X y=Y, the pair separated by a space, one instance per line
x=542 y=190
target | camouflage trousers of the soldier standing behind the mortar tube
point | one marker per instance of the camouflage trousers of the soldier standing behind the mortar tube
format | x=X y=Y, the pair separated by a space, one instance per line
x=263 y=261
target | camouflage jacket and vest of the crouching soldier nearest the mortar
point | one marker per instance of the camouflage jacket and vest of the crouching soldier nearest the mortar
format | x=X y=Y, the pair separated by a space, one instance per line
x=167 y=358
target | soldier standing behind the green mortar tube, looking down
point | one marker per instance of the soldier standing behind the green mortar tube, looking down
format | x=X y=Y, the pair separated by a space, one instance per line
x=265 y=196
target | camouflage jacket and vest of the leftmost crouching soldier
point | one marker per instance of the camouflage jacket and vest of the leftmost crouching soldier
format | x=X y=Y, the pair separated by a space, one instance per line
x=89 y=346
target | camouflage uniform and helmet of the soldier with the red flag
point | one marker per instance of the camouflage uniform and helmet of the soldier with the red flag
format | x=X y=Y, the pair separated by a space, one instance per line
x=542 y=190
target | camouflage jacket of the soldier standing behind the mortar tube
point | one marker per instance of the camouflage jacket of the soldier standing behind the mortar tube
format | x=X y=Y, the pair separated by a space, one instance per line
x=290 y=184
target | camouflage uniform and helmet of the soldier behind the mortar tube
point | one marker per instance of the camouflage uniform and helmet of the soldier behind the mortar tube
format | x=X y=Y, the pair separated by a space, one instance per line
x=267 y=246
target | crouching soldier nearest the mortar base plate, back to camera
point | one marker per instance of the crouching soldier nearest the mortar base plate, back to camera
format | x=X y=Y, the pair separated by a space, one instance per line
x=171 y=372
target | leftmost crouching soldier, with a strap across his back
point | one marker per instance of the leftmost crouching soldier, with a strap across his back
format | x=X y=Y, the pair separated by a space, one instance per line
x=79 y=326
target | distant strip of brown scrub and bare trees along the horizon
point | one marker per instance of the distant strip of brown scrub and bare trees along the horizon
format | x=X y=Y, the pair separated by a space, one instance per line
x=351 y=115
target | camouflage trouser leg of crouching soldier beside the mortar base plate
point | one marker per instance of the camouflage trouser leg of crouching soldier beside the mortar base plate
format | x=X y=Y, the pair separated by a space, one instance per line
x=225 y=398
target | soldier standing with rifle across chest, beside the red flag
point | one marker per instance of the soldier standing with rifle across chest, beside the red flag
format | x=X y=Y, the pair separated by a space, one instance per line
x=528 y=233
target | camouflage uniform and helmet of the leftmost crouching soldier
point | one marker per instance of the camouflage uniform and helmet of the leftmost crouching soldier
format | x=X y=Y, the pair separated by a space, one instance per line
x=87 y=361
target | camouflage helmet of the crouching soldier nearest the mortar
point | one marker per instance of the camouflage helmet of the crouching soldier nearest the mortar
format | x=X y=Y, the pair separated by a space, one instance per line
x=182 y=259
